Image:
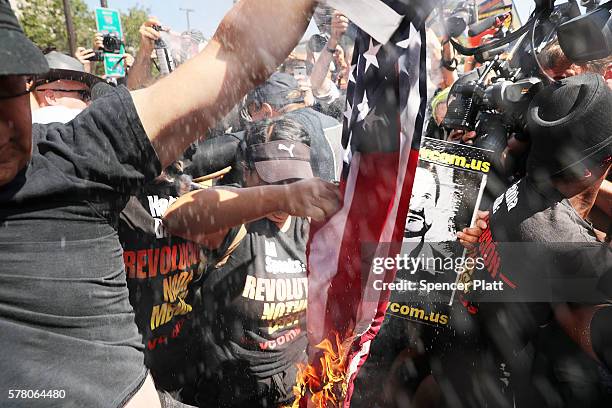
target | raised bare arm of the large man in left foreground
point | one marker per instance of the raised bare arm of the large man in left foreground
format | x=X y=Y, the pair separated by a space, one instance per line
x=251 y=42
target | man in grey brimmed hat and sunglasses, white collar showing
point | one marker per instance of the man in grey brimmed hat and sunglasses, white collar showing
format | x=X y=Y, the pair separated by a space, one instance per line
x=64 y=91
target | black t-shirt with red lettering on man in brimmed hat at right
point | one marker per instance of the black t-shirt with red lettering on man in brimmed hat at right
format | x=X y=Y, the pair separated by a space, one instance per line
x=543 y=252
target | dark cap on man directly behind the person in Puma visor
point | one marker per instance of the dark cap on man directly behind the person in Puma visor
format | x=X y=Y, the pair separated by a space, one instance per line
x=279 y=90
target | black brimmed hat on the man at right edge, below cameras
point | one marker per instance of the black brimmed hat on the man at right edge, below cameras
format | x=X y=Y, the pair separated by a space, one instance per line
x=570 y=123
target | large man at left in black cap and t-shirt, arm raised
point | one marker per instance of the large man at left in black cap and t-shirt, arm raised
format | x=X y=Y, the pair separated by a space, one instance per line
x=64 y=311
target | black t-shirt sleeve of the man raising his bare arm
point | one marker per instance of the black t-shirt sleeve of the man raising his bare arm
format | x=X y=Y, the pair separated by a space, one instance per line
x=105 y=147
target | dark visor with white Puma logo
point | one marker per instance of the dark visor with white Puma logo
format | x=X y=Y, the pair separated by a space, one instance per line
x=280 y=160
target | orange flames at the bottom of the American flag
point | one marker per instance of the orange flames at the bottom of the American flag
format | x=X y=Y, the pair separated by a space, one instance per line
x=328 y=388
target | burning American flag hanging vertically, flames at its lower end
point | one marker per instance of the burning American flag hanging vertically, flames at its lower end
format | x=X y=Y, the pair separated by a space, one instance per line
x=383 y=121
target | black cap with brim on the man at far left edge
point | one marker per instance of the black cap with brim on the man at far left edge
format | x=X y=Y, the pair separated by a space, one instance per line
x=18 y=55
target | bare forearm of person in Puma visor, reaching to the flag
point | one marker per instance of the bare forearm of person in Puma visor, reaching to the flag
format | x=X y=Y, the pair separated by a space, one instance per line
x=198 y=215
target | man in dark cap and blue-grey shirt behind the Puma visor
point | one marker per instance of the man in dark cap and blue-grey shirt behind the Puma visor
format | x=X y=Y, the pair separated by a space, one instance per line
x=280 y=95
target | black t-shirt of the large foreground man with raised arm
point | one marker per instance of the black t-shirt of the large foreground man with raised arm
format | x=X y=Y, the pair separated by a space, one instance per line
x=65 y=316
